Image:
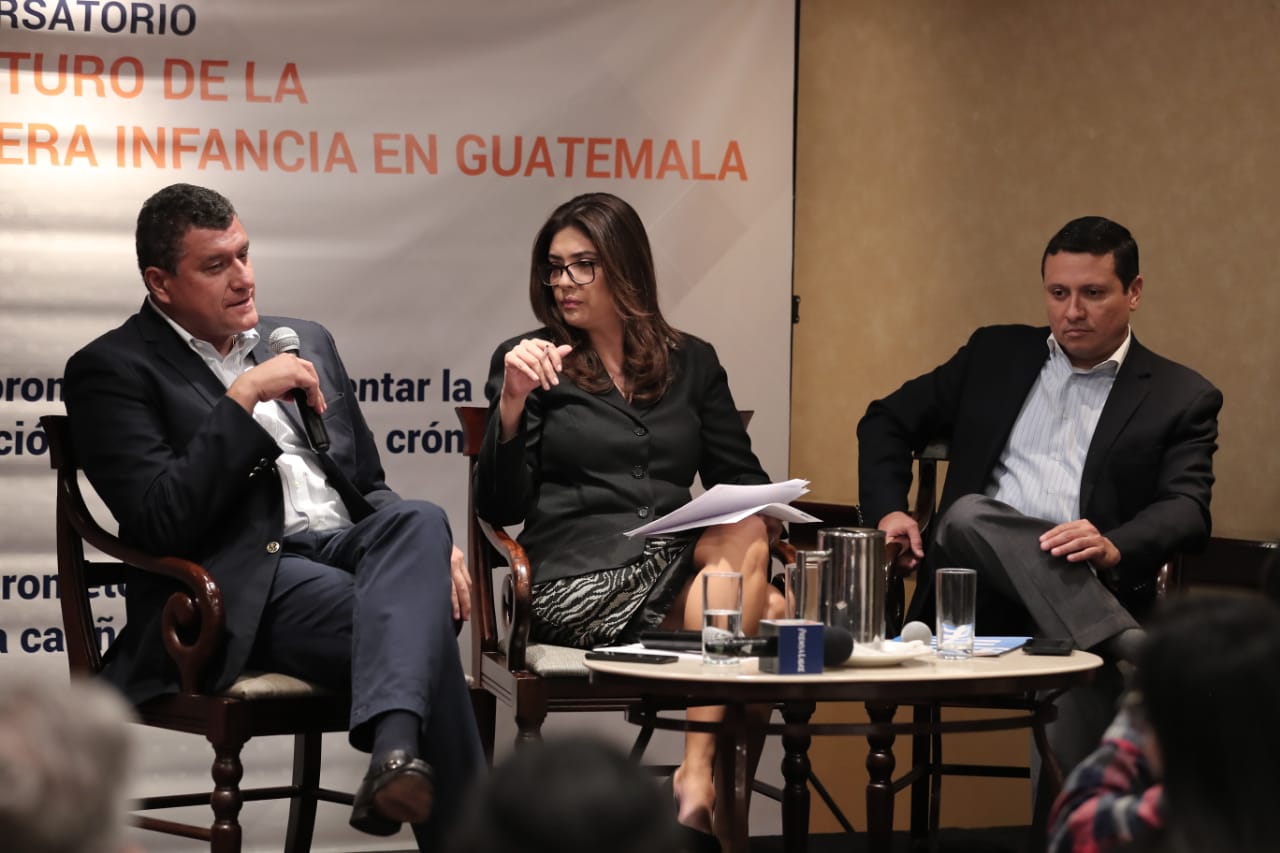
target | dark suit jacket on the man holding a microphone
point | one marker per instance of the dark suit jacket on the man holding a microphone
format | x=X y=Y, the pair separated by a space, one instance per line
x=188 y=473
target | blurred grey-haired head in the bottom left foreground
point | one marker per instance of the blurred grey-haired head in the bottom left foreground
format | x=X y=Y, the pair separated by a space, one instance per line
x=65 y=767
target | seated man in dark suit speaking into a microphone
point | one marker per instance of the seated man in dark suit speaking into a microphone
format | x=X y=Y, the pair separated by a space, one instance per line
x=184 y=425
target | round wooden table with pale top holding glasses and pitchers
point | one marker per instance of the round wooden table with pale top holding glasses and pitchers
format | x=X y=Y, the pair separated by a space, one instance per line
x=1013 y=681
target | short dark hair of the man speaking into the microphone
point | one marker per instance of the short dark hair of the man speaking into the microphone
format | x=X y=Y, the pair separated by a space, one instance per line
x=170 y=215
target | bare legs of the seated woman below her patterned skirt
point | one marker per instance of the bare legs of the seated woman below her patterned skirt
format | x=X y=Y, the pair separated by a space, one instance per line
x=742 y=548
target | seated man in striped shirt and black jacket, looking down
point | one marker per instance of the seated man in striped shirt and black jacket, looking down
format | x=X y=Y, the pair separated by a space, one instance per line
x=1080 y=462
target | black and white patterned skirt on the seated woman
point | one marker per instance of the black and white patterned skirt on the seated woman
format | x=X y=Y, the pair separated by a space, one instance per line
x=615 y=605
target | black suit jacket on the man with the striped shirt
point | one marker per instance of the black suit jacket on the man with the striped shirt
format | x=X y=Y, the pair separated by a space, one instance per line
x=1149 y=473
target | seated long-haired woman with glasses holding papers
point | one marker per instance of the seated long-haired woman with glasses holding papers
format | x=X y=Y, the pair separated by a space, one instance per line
x=598 y=423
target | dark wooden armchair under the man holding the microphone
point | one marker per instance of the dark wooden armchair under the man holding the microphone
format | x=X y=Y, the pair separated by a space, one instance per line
x=254 y=706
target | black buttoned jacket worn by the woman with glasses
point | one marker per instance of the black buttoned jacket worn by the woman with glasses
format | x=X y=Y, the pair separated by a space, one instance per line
x=587 y=467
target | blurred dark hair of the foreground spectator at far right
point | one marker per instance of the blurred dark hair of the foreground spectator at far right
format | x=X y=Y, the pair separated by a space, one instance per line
x=1209 y=679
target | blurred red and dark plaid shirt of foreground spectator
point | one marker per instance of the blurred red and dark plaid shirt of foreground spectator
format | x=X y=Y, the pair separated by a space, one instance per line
x=1112 y=799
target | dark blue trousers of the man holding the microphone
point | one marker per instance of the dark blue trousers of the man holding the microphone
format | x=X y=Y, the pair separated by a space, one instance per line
x=368 y=610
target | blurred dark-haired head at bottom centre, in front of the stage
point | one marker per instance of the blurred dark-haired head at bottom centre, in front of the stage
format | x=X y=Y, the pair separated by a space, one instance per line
x=569 y=796
